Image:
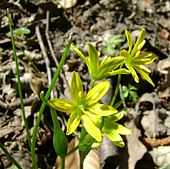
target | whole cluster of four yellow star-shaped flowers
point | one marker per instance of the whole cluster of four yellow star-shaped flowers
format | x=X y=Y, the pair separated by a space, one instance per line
x=86 y=110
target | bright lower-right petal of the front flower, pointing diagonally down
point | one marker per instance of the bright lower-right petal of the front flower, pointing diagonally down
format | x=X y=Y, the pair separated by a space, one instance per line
x=91 y=128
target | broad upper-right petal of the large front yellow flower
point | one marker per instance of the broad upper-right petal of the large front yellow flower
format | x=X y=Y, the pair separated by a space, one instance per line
x=97 y=92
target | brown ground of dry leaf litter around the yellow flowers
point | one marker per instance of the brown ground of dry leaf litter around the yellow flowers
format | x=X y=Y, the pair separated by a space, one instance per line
x=95 y=21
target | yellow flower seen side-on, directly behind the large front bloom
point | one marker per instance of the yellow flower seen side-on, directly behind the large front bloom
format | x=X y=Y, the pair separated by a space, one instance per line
x=100 y=69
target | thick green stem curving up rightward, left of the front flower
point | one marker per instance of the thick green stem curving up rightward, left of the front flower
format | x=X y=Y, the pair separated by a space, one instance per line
x=43 y=105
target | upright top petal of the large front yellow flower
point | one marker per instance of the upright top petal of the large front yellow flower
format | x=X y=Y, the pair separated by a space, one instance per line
x=76 y=87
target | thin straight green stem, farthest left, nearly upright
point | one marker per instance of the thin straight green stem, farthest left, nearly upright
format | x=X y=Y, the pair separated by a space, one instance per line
x=18 y=79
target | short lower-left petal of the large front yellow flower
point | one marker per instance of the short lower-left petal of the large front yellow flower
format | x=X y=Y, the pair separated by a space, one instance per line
x=73 y=122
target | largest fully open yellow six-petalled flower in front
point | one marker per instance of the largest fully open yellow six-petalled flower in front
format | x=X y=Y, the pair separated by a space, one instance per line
x=84 y=108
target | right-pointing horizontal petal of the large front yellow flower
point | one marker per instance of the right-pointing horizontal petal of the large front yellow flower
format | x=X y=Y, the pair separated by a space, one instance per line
x=102 y=110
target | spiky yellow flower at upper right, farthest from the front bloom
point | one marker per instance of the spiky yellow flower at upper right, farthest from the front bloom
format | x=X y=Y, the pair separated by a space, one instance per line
x=135 y=60
